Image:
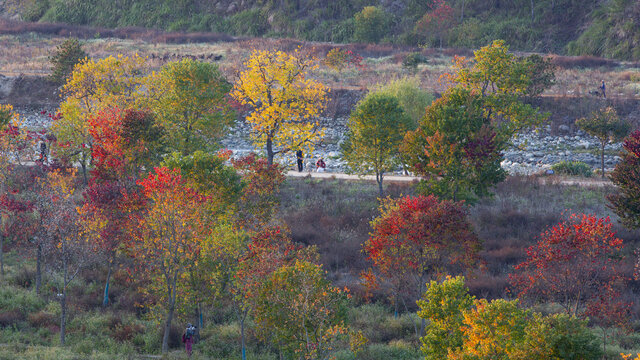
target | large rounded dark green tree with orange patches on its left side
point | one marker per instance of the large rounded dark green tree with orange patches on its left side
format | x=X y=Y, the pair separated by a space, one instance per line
x=455 y=148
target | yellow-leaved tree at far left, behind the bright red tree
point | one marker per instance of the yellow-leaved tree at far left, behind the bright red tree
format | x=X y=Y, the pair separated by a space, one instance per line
x=94 y=86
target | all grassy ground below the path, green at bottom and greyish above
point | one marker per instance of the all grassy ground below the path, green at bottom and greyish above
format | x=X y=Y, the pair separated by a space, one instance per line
x=330 y=214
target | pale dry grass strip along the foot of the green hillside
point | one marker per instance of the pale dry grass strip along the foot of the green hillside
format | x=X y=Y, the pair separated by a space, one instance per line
x=26 y=53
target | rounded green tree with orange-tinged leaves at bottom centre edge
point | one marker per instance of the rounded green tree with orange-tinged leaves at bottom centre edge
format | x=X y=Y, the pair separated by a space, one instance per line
x=300 y=311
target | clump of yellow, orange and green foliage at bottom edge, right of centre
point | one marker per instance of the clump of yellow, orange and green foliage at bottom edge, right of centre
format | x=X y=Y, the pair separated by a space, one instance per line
x=462 y=327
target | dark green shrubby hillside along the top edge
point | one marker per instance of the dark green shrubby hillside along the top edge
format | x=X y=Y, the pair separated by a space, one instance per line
x=609 y=28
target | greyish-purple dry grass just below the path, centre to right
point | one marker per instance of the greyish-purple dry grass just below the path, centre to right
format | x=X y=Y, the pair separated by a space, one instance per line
x=334 y=215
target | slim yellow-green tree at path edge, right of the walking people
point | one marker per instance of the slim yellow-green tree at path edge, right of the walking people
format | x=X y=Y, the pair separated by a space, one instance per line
x=376 y=129
